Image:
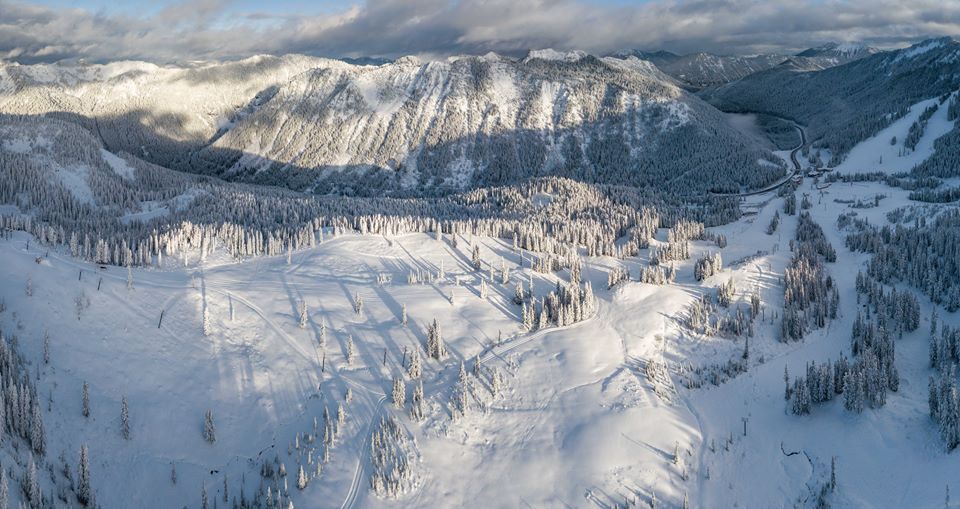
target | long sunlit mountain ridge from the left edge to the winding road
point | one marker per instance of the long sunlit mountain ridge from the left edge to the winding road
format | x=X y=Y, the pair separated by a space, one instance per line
x=406 y=126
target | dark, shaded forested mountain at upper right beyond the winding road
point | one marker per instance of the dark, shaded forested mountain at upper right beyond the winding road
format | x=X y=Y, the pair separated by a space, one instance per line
x=846 y=104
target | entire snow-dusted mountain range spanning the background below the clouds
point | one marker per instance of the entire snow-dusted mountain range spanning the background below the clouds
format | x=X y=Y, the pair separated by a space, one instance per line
x=414 y=128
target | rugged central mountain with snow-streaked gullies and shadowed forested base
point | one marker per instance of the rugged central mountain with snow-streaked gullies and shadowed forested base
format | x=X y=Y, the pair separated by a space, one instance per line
x=487 y=120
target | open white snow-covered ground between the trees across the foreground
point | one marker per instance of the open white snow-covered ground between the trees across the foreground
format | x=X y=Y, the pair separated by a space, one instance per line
x=583 y=420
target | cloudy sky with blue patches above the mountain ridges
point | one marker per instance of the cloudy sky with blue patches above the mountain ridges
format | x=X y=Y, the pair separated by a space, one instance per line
x=179 y=31
